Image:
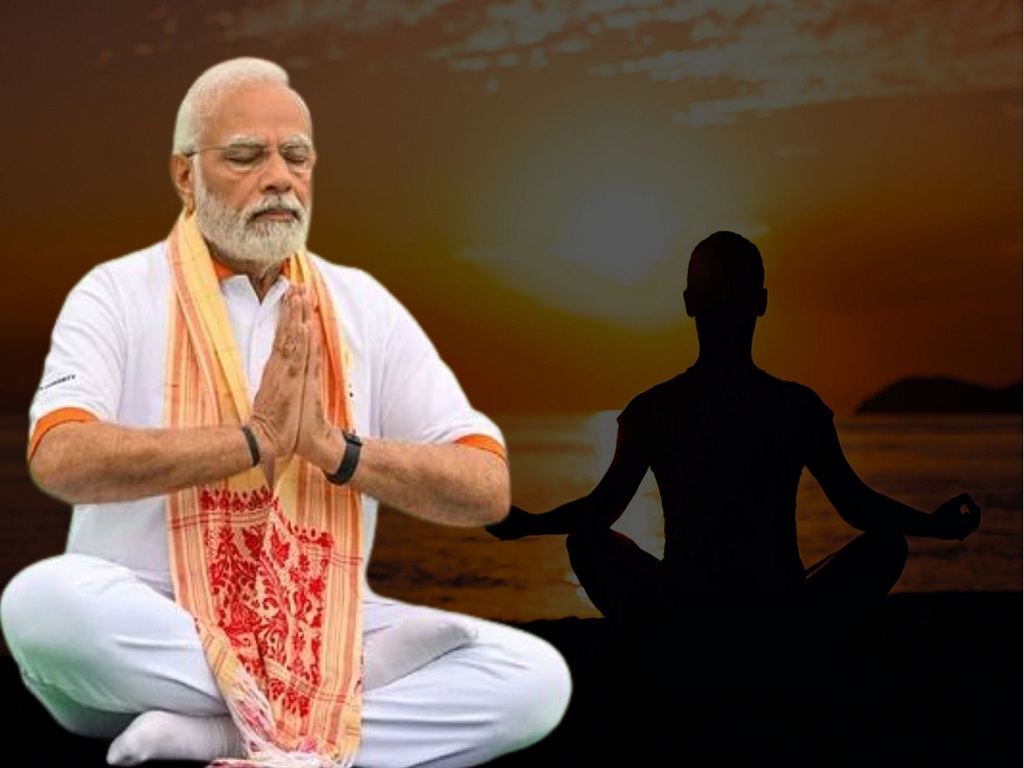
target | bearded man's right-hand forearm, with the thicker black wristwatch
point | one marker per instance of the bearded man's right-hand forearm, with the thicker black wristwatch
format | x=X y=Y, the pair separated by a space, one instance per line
x=447 y=484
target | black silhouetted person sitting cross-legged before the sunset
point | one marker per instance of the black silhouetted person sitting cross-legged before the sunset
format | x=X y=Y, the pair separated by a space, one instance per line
x=728 y=444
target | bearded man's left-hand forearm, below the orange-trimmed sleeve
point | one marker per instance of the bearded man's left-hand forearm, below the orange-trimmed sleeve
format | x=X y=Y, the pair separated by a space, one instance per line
x=92 y=462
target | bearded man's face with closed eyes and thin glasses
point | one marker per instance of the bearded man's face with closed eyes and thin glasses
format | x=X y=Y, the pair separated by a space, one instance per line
x=253 y=176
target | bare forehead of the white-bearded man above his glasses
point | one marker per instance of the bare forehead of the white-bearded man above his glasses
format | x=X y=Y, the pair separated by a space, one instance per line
x=265 y=112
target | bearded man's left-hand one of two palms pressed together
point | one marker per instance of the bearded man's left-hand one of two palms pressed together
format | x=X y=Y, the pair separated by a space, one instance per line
x=277 y=408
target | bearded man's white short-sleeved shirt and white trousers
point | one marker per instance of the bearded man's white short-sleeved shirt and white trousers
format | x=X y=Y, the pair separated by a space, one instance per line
x=113 y=644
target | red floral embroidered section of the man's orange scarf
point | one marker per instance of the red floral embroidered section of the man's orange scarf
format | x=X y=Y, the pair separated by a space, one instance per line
x=268 y=581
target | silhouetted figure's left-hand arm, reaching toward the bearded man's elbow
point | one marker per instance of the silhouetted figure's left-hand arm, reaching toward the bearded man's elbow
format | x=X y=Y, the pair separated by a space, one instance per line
x=600 y=509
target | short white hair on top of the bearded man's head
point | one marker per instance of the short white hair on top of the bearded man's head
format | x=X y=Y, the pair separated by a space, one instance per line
x=212 y=86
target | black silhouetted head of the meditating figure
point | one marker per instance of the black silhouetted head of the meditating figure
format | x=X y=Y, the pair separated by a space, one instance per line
x=726 y=279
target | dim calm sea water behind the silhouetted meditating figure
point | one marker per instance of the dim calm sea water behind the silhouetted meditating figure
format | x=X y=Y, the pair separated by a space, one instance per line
x=922 y=461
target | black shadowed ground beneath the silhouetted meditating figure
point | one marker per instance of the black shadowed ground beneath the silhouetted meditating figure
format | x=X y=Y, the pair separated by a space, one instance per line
x=931 y=680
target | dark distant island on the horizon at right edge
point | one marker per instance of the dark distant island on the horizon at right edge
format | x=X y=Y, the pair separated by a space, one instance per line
x=940 y=396
